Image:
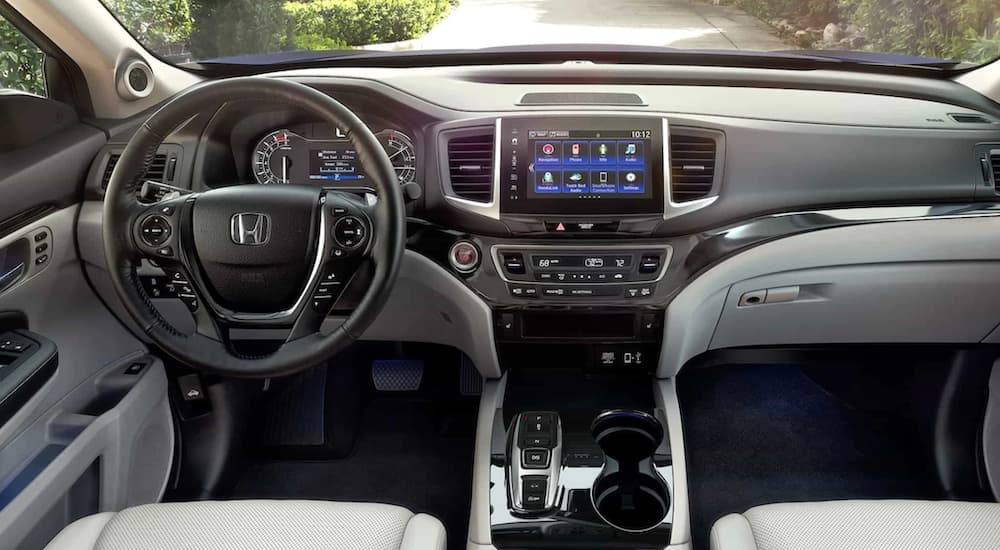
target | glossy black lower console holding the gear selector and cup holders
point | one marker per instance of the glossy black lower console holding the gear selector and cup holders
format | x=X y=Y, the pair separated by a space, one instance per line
x=594 y=468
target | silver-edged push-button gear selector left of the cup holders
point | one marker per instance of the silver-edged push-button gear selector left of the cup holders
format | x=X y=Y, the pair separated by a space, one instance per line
x=534 y=458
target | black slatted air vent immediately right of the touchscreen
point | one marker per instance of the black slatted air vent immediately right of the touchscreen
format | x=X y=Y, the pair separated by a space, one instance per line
x=692 y=166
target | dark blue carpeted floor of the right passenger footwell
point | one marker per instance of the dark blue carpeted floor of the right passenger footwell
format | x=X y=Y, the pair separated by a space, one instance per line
x=762 y=434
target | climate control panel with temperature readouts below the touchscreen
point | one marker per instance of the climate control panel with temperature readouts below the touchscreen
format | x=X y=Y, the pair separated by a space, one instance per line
x=571 y=273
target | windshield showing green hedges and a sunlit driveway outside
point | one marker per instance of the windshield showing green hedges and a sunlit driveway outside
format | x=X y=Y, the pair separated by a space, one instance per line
x=254 y=31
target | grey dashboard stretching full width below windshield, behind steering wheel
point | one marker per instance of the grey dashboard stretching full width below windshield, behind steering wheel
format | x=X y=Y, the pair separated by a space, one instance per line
x=622 y=197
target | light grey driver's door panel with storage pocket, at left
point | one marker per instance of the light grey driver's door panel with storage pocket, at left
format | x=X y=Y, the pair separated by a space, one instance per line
x=98 y=434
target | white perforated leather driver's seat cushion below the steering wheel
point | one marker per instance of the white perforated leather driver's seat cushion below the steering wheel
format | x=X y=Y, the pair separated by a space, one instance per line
x=255 y=524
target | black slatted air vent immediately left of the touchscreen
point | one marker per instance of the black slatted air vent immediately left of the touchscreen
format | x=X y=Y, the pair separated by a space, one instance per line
x=470 y=166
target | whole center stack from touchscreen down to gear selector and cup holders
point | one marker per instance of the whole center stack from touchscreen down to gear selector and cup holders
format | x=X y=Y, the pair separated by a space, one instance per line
x=582 y=451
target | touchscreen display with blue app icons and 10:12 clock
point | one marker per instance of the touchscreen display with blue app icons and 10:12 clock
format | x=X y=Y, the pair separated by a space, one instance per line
x=581 y=166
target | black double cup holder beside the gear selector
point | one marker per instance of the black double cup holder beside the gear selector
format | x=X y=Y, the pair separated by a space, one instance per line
x=629 y=494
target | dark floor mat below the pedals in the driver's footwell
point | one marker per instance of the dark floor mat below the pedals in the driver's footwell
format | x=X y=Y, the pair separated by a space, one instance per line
x=412 y=453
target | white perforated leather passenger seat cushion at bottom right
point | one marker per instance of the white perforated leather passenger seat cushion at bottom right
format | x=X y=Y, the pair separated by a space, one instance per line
x=862 y=525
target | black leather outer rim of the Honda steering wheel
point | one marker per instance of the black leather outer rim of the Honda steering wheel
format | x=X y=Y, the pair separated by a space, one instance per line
x=199 y=350
